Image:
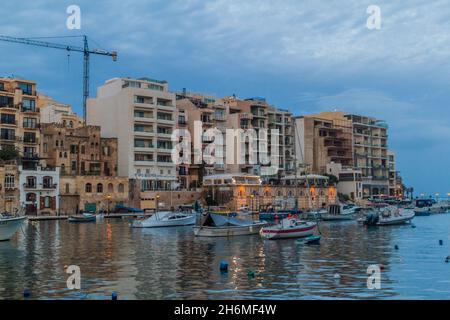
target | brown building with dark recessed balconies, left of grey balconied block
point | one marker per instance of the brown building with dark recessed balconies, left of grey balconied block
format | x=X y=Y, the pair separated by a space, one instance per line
x=323 y=139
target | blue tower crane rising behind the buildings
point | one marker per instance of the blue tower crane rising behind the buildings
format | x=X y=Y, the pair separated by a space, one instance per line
x=86 y=57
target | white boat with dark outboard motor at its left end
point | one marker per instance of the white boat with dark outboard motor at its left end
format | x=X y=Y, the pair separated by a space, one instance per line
x=389 y=216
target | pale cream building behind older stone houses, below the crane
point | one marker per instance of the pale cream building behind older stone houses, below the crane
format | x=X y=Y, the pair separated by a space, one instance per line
x=56 y=112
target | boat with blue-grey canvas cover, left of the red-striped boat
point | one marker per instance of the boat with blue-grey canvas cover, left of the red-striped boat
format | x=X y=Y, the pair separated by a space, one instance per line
x=214 y=225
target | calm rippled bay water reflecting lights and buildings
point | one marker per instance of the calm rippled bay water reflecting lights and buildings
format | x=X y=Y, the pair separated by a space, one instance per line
x=172 y=264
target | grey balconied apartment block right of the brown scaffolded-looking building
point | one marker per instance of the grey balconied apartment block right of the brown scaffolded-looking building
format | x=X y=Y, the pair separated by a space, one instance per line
x=371 y=153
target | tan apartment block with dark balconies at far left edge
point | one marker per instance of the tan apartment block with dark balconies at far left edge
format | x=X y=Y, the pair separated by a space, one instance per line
x=19 y=119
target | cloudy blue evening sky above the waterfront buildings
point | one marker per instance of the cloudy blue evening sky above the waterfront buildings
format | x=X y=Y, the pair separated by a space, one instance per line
x=304 y=56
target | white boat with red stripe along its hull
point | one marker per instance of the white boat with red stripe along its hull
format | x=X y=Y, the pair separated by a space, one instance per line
x=289 y=228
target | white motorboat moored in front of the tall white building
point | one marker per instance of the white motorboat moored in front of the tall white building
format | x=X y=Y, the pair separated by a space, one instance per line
x=166 y=219
